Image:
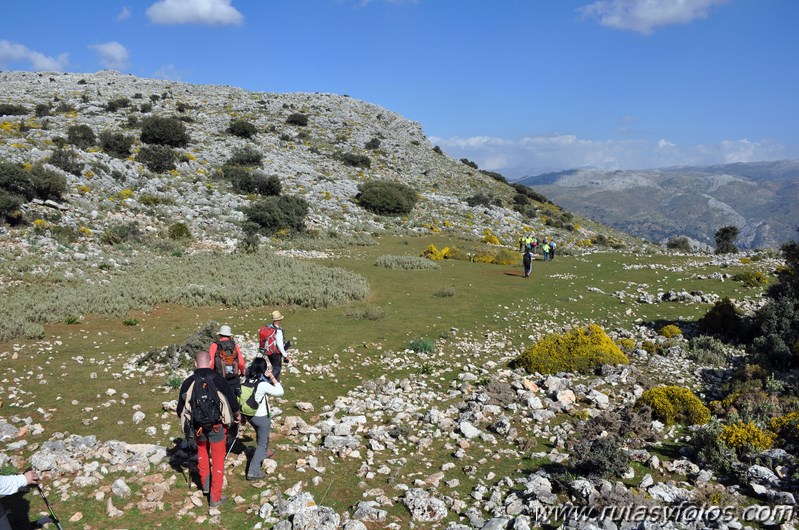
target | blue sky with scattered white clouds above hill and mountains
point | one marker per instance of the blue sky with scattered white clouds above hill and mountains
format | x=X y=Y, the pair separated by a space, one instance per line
x=520 y=86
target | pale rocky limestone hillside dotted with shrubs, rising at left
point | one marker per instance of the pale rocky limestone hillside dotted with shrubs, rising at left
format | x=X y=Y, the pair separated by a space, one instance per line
x=310 y=160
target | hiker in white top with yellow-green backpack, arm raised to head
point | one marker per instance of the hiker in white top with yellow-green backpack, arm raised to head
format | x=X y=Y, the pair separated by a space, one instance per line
x=263 y=384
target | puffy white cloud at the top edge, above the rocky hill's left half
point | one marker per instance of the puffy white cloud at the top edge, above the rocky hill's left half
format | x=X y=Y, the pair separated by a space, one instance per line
x=208 y=12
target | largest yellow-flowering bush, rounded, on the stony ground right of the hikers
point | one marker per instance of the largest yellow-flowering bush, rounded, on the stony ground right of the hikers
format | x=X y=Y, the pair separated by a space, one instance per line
x=579 y=350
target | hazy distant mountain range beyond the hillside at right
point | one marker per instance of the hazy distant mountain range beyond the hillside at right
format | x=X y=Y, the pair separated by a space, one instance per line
x=760 y=198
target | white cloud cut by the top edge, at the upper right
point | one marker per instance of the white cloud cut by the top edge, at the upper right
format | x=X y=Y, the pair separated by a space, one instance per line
x=645 y=15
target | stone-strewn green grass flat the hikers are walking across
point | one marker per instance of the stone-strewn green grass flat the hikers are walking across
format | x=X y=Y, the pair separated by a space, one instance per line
x=487 y=298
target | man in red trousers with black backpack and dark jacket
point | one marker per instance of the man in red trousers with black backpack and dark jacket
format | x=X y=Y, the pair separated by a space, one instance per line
x=206 y=407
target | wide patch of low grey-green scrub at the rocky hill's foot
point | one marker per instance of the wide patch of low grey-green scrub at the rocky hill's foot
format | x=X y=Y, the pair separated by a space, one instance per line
x=230 y=280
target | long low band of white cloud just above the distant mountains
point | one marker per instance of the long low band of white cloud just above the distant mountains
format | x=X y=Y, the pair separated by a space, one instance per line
x=539 y=154
